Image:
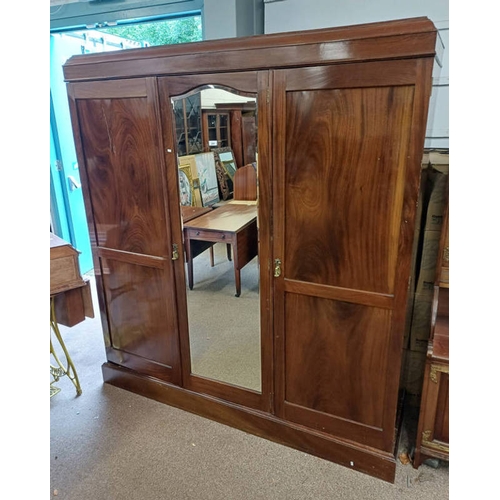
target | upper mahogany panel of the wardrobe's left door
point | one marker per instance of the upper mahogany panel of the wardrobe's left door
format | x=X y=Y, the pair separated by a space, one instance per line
x=121 y=153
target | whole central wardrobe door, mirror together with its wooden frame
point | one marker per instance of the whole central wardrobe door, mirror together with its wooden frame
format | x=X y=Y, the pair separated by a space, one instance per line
x=222 y=287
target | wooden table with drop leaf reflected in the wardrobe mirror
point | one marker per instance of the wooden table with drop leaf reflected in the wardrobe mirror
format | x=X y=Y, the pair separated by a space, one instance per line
x=233 y=224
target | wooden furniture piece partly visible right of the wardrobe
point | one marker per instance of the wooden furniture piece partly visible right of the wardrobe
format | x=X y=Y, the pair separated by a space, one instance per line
x=433 y=439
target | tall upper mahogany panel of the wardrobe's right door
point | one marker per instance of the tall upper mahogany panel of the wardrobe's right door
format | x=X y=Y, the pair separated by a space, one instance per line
x=342 y=211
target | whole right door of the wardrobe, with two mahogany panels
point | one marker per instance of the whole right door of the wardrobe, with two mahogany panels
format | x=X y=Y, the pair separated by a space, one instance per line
x=345 y=183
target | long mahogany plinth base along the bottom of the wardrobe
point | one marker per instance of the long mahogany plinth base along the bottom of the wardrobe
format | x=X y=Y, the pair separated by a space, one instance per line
x=363 y=459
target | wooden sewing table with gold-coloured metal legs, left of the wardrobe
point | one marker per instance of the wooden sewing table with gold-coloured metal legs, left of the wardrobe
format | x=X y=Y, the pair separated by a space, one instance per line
x=70 y=304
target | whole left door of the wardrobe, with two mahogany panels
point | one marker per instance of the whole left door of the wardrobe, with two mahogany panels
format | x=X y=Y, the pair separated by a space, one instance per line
x=118 y=140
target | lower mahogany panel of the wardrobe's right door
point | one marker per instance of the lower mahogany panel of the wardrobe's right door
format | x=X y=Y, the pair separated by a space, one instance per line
x=337 y=345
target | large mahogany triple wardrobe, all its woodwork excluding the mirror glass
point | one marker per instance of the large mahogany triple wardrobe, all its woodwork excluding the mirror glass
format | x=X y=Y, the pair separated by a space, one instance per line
x=341 y=118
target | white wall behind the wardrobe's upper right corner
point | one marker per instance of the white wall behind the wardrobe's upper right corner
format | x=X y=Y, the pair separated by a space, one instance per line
x=292 y=15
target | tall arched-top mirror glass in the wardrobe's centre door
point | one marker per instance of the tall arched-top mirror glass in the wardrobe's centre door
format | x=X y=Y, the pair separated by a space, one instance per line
x=216 y=132
